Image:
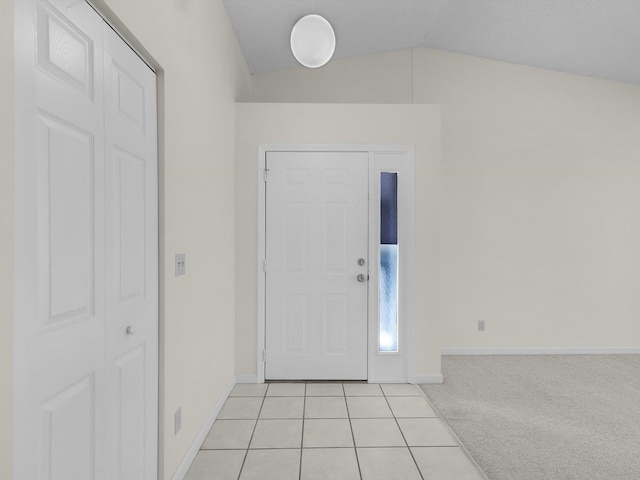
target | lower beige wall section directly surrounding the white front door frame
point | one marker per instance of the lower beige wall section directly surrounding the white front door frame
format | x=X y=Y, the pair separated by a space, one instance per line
x=417 y=125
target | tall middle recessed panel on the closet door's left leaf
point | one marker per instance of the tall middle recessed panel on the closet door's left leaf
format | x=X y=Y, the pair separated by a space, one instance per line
x=66 y=205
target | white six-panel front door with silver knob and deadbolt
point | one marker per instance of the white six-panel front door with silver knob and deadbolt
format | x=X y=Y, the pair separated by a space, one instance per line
x=316 y=247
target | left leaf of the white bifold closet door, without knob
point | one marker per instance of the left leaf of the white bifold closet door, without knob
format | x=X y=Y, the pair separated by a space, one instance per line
x=59 y=306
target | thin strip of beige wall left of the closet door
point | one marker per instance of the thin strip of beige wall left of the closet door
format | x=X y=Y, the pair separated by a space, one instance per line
x=6 y=239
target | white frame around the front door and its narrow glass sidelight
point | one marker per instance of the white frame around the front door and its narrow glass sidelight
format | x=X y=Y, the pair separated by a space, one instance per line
x=382 y=367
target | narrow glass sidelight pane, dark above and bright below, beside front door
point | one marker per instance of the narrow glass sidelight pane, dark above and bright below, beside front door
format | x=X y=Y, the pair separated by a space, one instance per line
x=388 y=293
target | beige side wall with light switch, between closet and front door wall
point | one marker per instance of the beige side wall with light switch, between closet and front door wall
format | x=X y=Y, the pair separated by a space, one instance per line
x=203 y=72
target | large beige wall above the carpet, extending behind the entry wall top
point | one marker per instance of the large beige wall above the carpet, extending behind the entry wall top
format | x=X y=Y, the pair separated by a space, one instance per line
x=541 y=205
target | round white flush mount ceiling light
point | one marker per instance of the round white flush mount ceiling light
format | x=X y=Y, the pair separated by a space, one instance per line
x=313 y=41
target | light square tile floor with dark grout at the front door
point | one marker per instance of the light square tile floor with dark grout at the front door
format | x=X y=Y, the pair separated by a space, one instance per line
x=329 y=431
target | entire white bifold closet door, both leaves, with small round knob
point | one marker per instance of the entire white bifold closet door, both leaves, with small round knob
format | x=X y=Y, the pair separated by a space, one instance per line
x=86 y=329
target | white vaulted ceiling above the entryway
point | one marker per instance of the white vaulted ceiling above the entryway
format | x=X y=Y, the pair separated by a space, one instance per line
x=598 y=38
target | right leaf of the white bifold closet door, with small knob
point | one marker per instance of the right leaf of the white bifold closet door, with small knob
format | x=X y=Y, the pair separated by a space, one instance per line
x=131 y=251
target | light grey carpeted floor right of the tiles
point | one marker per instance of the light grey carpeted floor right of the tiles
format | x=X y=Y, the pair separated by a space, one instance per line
x=547 y=417
